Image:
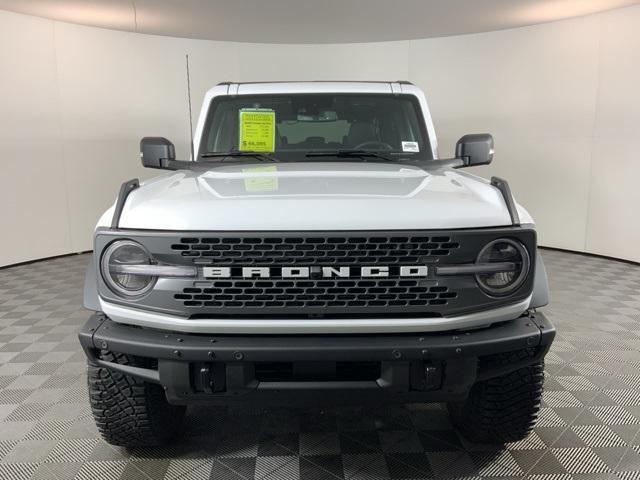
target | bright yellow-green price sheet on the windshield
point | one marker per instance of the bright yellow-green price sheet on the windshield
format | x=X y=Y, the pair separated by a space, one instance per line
x=257 y=130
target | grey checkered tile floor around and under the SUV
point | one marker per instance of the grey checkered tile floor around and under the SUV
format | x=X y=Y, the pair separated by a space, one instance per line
x=589 y=426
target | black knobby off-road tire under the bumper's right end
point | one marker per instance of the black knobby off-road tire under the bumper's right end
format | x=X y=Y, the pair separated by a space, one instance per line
x=501 y=409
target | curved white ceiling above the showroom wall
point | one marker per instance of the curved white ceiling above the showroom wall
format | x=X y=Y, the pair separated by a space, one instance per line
x=306 y=21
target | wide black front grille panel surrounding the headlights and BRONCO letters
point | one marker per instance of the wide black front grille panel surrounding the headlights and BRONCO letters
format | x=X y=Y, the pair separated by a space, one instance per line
x=318 y=296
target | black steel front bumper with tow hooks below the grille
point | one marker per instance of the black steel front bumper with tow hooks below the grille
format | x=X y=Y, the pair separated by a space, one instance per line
x=307 y=368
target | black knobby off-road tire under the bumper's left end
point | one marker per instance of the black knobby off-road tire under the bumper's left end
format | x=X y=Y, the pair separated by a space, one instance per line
x=130 y=412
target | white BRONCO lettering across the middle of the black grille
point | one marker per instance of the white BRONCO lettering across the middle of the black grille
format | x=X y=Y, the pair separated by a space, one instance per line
x=317 y=272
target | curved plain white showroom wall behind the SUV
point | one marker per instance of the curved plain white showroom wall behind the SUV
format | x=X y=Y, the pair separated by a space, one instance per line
x=561 y=99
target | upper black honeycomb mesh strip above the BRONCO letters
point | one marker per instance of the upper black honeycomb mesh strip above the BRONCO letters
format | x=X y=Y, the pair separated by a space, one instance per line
x=314 y=250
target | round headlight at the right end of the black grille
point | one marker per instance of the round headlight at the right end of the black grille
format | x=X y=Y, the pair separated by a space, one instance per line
x=507 y=263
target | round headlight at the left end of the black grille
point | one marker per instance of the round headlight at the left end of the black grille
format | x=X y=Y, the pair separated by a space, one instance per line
x=116 y=258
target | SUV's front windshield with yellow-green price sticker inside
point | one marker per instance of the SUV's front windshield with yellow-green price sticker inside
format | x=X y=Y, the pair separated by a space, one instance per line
x=290 y=127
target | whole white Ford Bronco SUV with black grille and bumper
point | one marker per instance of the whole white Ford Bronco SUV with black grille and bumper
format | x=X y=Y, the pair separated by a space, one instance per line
x=315 y=249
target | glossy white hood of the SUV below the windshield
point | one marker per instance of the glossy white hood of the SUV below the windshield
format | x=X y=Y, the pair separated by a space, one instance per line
x=315 y=196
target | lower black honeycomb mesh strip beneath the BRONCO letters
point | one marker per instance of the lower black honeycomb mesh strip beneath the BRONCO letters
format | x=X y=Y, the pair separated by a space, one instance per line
x=257 y=294
